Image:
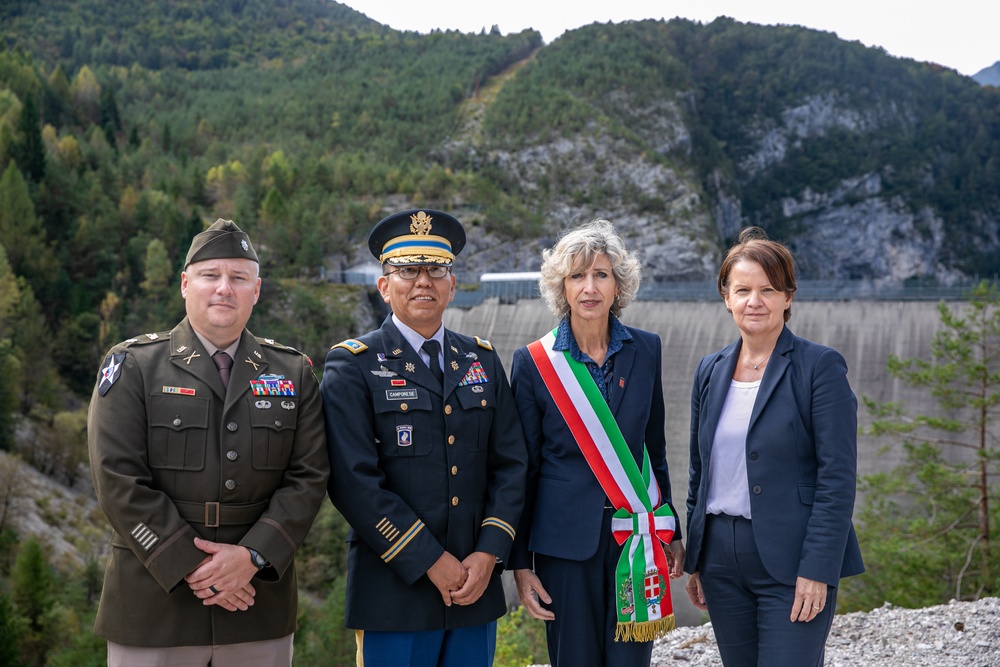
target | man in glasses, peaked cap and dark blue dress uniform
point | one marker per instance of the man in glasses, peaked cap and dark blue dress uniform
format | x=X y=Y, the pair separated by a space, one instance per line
x=428 y=462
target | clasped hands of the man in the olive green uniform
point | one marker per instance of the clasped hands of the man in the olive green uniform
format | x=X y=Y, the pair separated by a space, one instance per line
x=228 y=569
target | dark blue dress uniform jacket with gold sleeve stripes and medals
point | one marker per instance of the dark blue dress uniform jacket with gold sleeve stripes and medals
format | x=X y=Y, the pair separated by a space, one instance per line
x=417 y=472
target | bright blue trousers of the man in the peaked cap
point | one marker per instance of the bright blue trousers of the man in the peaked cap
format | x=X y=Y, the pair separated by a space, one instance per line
x=462 y=647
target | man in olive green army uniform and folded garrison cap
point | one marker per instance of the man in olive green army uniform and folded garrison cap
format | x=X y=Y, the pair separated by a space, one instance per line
x=210 y=470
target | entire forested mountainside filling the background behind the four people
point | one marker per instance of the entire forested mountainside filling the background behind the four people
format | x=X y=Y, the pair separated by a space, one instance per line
x=127 y=127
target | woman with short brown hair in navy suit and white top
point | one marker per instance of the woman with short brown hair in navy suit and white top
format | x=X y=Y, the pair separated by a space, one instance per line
x=773 y=472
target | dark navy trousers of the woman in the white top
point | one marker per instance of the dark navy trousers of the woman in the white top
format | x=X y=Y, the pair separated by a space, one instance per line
x=749 y=609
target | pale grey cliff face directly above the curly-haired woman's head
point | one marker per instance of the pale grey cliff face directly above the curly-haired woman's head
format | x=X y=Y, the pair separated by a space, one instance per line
x=654 y=199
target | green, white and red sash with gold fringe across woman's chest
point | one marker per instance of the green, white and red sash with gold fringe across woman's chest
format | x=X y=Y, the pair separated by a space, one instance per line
x=642 y=521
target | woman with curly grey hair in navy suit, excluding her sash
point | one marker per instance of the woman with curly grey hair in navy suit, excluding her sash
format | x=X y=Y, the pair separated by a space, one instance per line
x=564 y=555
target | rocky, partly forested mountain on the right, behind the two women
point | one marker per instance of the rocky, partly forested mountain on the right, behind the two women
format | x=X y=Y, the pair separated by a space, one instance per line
x=685 y=132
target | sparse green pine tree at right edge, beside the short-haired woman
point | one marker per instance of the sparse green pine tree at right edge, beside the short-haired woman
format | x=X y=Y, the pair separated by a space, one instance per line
x=926 y=526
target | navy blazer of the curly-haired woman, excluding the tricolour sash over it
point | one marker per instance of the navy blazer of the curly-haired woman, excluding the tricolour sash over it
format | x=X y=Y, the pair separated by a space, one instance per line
x=564 y=503
